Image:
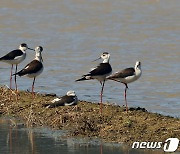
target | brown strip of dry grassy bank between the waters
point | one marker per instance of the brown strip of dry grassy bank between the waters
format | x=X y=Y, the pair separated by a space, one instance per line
x=84 y=120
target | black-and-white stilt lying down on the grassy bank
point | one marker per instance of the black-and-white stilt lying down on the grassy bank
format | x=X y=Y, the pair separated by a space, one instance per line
x=69 y=99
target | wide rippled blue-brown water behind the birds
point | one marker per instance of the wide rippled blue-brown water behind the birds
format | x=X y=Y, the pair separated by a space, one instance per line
x=73 y=33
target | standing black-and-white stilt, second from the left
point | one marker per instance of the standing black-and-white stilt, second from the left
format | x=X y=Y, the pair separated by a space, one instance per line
x=34 y=68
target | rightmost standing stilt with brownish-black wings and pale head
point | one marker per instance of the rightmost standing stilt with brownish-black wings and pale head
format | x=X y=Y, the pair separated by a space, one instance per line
x=126 y=76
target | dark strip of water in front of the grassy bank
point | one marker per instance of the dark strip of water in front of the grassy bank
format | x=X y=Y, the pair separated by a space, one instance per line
x=20 y=140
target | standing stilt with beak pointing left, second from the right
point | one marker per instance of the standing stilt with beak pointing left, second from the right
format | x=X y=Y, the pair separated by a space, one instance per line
x=99 y=73
